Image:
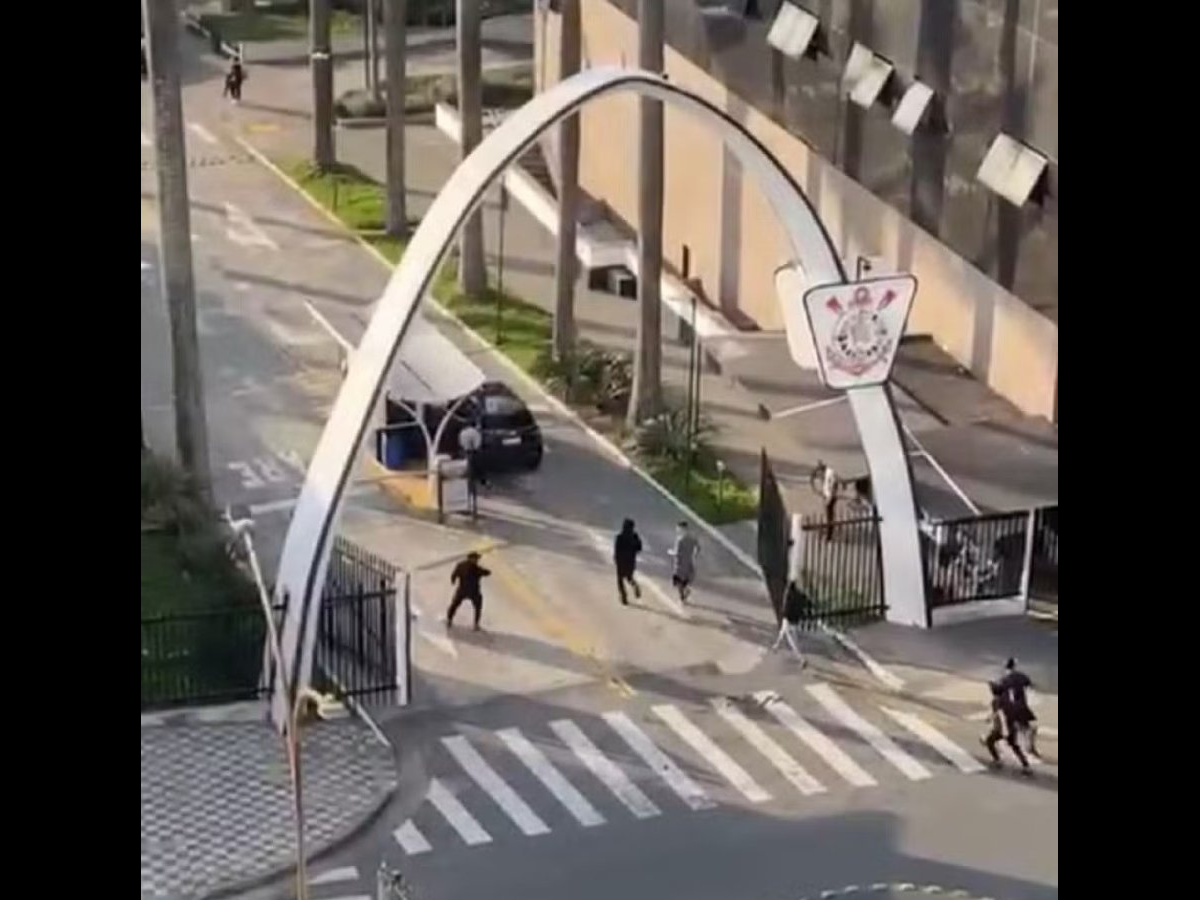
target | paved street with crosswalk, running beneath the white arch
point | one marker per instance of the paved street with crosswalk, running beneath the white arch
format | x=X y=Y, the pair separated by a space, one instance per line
x=575 y=748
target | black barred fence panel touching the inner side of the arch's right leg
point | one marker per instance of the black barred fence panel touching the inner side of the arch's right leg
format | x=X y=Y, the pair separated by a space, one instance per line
x=842 y=573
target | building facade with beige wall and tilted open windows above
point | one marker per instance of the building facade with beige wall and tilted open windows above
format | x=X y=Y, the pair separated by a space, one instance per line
x=886 y=112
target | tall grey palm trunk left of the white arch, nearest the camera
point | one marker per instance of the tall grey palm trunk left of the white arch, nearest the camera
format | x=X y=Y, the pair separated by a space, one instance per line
x=176 y=239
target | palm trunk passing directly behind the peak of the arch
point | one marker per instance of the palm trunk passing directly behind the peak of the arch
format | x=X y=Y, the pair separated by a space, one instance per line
x=647 y=389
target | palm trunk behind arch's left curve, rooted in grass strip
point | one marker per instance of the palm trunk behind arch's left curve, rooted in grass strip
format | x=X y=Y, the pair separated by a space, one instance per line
x=472 y=274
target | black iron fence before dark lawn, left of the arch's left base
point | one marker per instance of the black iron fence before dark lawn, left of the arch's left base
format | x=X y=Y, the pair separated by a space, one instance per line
x=206 y=657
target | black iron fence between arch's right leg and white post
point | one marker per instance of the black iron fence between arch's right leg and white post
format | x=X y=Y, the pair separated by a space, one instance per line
x=975 y=559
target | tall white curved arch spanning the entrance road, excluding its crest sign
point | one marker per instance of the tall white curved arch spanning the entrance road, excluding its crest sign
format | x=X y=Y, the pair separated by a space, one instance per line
x=307 y=548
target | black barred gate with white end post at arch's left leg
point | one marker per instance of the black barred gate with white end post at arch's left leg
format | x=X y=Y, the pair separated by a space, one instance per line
x=363 y=635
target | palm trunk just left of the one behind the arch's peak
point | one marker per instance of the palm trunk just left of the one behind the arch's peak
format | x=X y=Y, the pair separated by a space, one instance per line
x=566 y=269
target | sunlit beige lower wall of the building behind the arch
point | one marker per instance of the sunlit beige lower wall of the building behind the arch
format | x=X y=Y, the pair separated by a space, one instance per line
x=735 y=238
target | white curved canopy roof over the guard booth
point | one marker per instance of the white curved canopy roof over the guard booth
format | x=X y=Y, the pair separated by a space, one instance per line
x=430 y=369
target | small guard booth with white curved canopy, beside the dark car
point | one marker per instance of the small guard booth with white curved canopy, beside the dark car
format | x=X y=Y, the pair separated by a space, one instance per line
x=429 y=382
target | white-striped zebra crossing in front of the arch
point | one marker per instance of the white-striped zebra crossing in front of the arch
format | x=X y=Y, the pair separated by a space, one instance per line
x=597 y=771
